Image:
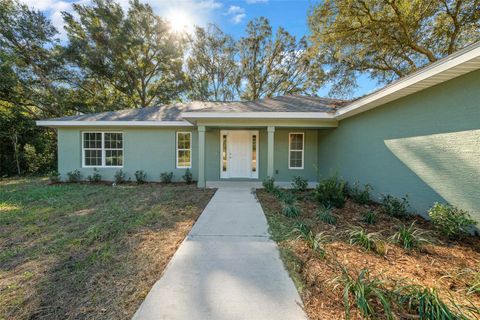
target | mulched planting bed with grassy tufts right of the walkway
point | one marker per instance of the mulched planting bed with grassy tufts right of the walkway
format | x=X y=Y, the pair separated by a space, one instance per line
x=328 y=251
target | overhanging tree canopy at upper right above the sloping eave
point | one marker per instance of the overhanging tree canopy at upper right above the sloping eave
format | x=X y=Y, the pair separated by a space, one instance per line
x=388 y=38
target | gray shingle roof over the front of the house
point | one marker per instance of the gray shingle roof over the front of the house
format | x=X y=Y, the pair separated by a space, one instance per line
x=171 y=112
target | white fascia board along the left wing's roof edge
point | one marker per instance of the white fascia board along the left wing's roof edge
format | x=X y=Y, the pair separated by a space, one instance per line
x=53 y=123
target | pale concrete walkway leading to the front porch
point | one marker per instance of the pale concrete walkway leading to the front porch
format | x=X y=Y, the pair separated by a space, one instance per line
x=227 y=268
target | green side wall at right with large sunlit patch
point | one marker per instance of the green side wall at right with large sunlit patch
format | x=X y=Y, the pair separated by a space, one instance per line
x=426 y=145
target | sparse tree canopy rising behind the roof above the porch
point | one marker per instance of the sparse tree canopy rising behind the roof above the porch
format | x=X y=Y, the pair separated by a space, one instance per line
x=276 y=65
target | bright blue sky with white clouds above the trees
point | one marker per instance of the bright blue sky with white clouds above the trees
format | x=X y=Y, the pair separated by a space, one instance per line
x=231 y=15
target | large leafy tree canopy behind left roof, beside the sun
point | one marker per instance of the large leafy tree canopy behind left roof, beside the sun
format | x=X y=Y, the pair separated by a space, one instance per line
x=134 y=52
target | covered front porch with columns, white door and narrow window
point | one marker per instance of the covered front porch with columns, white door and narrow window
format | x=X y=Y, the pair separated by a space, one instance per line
x=247 y=148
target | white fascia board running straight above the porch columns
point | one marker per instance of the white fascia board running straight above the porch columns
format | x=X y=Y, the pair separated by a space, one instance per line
x=258 y=115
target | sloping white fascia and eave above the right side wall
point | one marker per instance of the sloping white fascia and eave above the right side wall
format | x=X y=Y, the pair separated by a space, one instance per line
x=448 y=63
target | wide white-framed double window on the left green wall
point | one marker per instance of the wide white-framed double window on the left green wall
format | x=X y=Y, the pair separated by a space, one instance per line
x=102 y=149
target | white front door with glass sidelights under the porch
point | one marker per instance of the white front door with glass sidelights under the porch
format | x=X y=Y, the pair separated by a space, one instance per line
x=239 y=154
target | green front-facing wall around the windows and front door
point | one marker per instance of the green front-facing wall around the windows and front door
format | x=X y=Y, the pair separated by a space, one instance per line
x=153 y=150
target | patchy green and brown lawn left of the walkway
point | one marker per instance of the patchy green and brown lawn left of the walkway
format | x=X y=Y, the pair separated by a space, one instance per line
x=82 y=251
